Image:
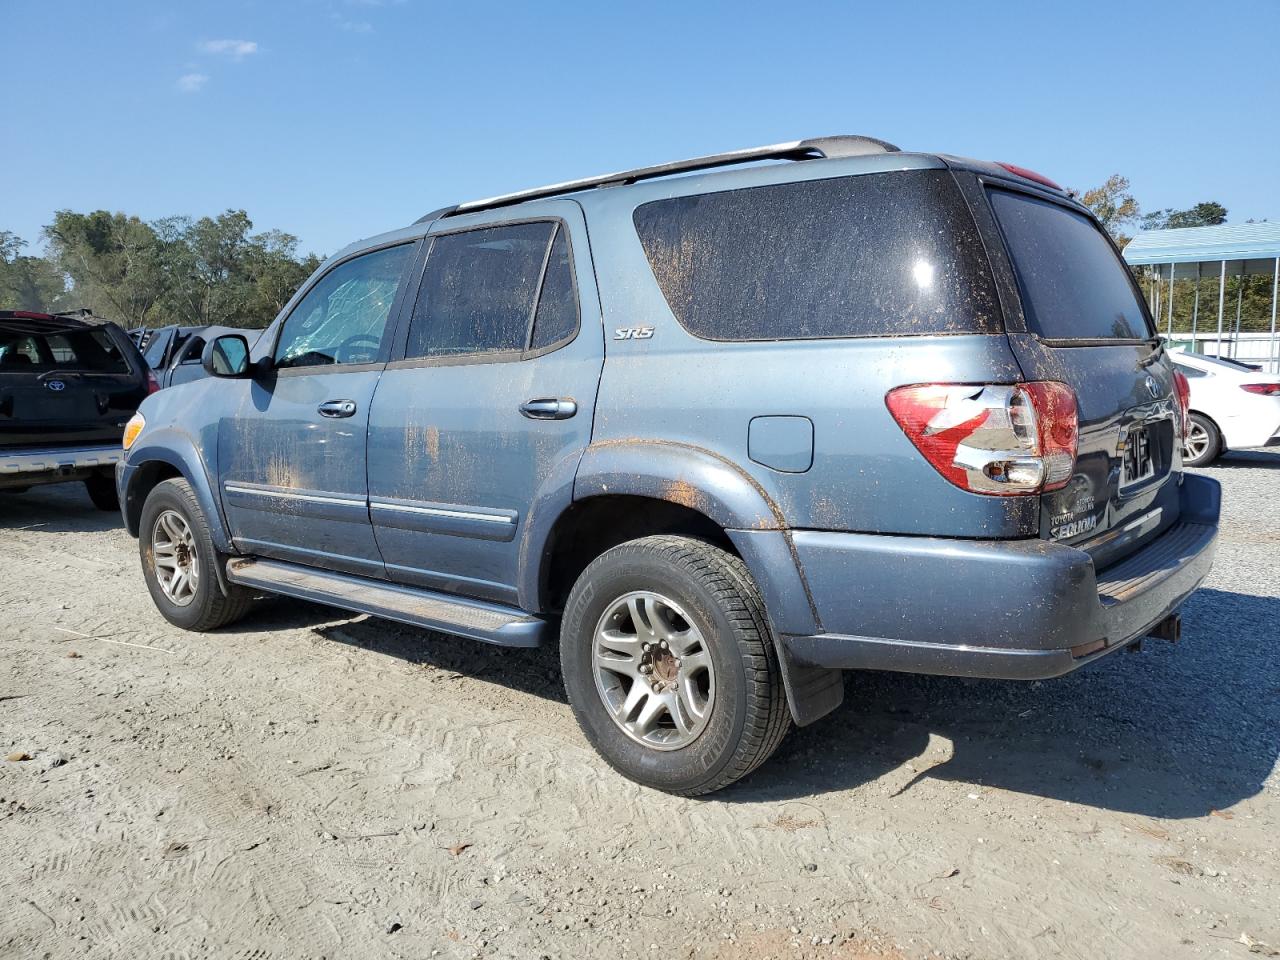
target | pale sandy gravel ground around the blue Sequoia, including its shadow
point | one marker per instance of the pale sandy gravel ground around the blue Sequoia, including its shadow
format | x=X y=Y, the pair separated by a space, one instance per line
x=308 y=784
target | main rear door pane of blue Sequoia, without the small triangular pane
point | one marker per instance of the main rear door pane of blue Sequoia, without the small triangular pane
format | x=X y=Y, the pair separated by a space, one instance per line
x=478 y=291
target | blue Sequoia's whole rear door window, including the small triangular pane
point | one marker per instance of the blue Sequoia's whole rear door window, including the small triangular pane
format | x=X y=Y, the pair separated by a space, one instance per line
x=482 y=291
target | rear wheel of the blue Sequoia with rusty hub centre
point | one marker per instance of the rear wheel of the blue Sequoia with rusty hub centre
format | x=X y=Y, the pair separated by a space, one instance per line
x=693 y=589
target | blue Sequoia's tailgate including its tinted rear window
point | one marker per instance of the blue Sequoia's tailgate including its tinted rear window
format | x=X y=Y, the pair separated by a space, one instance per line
x=1085 y=323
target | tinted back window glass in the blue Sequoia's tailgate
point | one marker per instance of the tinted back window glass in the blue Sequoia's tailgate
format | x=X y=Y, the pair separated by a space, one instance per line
x=1075 y=286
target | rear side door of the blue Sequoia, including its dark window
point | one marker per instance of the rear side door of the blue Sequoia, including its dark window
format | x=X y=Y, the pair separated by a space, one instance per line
x=454 y=464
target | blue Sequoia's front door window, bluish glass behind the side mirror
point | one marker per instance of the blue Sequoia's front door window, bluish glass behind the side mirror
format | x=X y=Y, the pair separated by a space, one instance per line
x=344 y=318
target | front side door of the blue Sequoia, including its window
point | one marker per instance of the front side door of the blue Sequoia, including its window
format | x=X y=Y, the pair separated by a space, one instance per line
x=292 y=458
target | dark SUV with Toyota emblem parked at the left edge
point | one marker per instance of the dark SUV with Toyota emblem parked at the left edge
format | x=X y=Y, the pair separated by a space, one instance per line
x=67 y=388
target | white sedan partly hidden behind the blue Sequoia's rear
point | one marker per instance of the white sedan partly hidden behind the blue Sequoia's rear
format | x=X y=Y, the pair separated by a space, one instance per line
x=1233 y=406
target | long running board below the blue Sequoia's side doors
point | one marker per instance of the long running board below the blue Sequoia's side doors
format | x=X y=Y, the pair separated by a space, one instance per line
x=491 y=623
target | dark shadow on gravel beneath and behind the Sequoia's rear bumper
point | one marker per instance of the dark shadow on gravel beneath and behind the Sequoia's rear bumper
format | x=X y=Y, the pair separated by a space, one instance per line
x=1176 y=732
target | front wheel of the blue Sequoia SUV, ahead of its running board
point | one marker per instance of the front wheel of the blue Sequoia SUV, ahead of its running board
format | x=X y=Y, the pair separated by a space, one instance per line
x=204 y=606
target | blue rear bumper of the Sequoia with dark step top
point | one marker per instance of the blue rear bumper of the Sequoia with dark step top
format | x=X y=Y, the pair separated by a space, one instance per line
x=1016 y=610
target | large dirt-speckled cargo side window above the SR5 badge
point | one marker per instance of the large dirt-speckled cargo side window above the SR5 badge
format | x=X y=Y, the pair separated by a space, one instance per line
x=856 y=257
